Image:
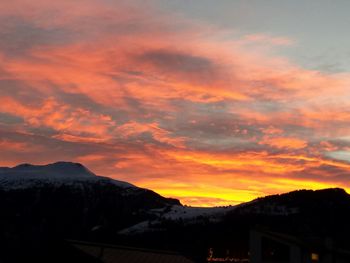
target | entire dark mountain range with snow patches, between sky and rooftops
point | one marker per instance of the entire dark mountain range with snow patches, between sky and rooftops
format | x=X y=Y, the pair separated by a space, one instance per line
x=43 y=205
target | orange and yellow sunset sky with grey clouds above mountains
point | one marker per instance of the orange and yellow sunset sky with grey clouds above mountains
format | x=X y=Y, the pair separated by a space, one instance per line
x=211 y=102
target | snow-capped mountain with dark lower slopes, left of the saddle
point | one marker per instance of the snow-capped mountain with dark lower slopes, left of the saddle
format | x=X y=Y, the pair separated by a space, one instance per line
x=42 y=205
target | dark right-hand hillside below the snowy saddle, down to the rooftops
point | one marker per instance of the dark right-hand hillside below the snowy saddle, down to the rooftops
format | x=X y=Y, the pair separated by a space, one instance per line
x=304 y=214
